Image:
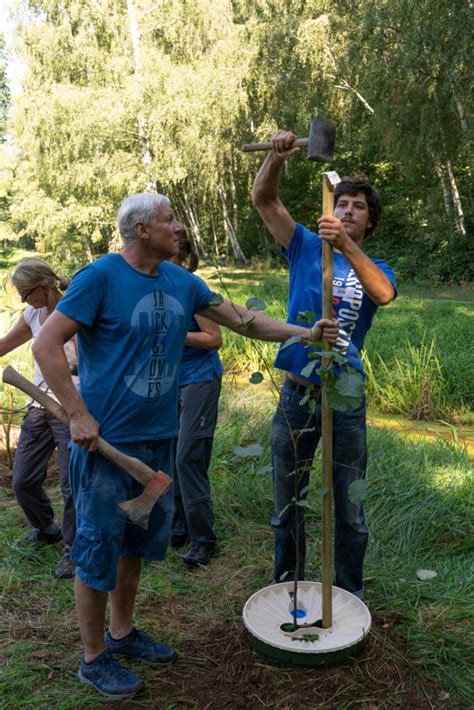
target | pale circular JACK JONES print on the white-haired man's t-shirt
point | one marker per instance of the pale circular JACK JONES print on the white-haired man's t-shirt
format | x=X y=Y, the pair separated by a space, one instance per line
x=159 y=316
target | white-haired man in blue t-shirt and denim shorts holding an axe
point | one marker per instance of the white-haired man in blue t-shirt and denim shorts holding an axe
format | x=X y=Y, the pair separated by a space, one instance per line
x=131 y=312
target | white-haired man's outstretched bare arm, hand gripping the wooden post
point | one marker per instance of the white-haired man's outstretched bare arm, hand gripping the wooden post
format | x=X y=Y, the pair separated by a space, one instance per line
x=256 y=325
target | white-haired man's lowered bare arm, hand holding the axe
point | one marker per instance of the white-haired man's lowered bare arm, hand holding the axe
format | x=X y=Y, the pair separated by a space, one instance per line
x=50 y=356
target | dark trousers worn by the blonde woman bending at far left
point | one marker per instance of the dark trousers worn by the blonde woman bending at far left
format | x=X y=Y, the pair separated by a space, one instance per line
x=40 y=434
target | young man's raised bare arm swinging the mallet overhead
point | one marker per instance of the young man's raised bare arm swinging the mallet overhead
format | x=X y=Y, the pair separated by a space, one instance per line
x=265 y=189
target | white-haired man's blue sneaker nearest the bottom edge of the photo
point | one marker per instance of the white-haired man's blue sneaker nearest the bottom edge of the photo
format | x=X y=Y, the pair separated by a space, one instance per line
x=108 y=677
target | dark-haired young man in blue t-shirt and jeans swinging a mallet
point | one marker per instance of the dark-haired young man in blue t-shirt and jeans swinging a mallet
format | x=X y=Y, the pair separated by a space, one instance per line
x=360 y=285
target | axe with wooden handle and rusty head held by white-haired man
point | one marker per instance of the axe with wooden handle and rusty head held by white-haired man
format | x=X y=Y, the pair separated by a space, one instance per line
x=156 y=483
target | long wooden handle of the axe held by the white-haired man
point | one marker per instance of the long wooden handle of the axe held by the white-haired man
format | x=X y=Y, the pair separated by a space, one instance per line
x=131 y=465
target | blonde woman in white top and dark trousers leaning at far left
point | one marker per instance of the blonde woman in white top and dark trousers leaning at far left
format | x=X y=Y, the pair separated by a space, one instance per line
x=40 y=288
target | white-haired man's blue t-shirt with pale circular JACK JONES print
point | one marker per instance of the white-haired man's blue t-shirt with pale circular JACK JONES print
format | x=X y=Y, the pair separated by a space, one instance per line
x=130 y=347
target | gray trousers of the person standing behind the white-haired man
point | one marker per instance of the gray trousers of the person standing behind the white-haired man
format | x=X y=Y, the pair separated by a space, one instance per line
x=193 y=516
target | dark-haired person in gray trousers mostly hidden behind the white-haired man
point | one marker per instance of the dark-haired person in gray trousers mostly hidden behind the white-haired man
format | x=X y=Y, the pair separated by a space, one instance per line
x=200 y=384
